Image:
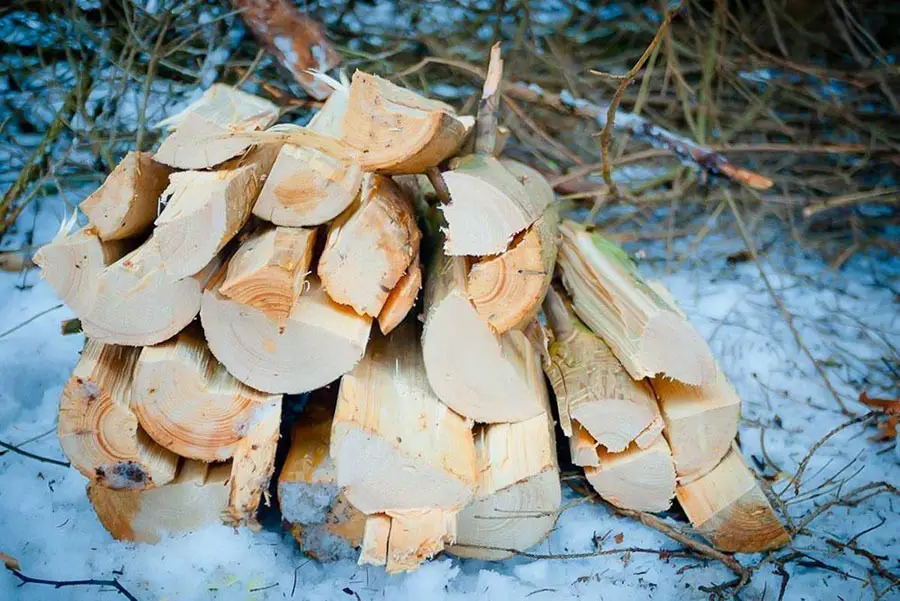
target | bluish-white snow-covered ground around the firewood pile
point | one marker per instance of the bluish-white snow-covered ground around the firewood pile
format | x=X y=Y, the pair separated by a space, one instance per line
x=849 y=321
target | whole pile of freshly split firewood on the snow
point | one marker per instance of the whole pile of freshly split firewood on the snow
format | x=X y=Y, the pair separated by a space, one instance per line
x=288 y=242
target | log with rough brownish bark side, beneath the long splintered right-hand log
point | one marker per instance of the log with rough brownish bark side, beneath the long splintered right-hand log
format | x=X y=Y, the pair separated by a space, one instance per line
x=592 y=387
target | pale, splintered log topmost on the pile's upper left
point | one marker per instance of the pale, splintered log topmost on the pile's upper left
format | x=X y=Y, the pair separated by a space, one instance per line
x=202 y=131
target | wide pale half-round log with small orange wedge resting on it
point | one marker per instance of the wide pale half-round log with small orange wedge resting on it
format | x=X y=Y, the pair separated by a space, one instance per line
x=319 y=342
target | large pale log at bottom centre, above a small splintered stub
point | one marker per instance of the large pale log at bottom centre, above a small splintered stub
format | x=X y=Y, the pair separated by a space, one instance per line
x=394 y=444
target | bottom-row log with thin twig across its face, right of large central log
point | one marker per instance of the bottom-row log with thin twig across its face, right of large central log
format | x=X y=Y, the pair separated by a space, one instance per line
x=518 y=495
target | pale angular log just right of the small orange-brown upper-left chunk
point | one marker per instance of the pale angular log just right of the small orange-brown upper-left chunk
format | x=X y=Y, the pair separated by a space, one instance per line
x=206 y=209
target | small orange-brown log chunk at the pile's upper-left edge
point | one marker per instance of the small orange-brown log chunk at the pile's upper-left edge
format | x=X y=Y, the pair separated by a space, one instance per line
x=127 y=203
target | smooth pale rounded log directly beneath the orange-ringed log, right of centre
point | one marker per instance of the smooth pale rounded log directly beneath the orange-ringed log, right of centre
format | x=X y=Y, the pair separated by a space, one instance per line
x=478 y=374
